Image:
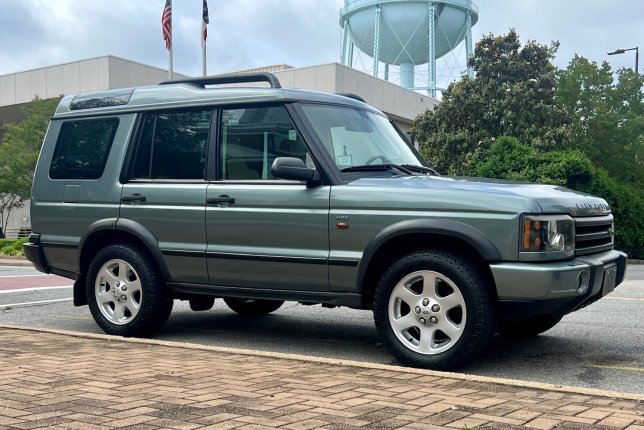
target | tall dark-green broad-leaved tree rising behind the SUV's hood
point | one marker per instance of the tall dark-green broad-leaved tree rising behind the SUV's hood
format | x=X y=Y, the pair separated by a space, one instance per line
x=513 y=94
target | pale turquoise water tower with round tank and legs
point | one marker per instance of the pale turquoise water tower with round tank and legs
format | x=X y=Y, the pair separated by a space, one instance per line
x=407 y=33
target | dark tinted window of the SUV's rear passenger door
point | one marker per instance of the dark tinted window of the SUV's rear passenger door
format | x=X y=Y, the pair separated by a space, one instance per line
x=173 y=145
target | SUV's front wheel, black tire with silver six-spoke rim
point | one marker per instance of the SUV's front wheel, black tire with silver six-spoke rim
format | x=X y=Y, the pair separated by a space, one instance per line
x=434 y=310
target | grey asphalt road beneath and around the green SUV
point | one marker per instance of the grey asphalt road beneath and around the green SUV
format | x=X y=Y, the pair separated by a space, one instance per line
x=601 y=346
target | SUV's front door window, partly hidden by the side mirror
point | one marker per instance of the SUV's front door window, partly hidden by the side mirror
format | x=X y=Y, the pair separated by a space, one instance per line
x=251 y=139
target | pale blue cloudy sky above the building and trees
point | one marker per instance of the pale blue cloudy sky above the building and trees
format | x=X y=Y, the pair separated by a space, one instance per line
x=251 y=33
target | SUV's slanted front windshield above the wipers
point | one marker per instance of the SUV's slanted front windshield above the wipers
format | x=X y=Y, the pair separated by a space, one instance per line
x=355 y=137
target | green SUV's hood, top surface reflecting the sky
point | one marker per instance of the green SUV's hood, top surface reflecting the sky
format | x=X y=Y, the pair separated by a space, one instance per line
x=550 y=198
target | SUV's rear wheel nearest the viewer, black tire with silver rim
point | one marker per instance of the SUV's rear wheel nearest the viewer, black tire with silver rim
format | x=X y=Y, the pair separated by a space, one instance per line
x=125 y=292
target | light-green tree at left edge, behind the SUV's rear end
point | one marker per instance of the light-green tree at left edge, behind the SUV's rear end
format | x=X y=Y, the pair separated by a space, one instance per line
x=19 y=151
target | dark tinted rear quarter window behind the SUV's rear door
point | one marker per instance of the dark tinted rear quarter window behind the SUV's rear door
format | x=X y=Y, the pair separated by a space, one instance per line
x=82 y=148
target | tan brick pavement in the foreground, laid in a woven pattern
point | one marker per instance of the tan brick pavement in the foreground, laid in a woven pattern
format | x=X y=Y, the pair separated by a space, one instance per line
x=63 y=381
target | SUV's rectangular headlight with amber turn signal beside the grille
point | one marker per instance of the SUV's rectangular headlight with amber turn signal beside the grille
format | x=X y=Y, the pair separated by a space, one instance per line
x=546 y=237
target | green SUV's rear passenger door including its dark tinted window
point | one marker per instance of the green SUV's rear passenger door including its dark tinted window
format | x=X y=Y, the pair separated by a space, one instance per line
x=165 y=189
